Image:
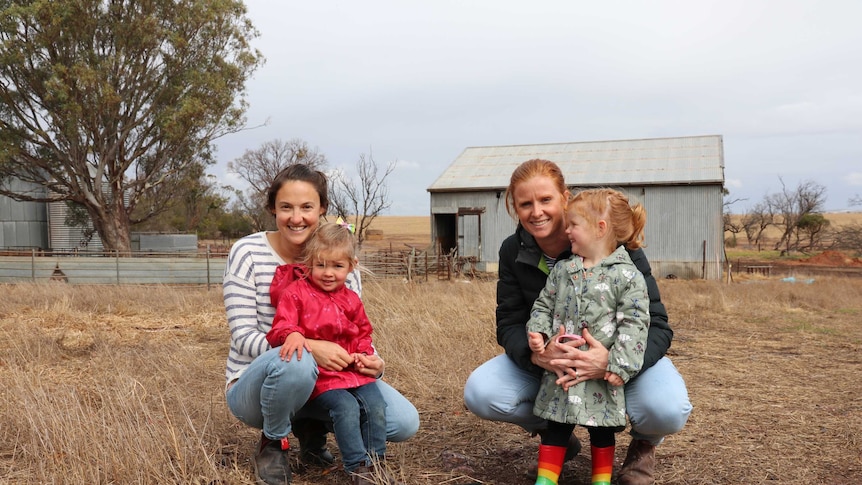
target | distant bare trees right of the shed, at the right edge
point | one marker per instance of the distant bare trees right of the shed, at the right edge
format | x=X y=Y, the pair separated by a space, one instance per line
x=797 y=214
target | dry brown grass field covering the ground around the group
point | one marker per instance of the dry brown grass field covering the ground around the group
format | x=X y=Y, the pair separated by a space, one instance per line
x=124 y=385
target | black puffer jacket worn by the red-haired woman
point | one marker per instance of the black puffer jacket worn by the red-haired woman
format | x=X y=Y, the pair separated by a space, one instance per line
x=521 y=281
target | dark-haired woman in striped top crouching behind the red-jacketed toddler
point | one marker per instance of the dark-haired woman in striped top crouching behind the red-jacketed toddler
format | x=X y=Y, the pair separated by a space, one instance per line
x=264 y=391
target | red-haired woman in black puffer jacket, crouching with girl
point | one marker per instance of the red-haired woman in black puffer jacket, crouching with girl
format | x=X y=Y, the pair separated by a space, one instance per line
x=504 y=388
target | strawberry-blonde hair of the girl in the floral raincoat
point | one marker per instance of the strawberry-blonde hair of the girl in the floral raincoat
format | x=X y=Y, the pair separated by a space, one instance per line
x=625 y=222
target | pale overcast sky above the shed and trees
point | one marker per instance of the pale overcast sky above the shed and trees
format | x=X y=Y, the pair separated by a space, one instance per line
x=418 y=82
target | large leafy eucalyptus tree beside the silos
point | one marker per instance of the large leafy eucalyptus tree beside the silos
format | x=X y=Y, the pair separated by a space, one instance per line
x=108 y=102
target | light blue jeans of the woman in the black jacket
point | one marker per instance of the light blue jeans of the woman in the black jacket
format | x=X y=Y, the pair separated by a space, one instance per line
x=656 y=402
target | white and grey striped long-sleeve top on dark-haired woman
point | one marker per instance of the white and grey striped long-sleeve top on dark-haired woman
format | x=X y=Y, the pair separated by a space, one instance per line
x=248 y=274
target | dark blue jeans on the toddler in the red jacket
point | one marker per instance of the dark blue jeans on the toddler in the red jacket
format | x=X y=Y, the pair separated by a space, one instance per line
x=358 y=421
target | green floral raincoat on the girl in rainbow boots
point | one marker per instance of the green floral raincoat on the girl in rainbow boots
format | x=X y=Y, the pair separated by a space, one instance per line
x=611 y=301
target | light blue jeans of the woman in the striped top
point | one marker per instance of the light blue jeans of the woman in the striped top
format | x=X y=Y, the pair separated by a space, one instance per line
x=272 y=392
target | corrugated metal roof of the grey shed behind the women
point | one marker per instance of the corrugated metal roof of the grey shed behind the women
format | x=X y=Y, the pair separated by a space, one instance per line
x=680 y=160
